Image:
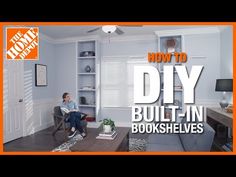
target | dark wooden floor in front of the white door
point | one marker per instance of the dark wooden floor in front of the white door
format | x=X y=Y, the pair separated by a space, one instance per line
x=43 y=141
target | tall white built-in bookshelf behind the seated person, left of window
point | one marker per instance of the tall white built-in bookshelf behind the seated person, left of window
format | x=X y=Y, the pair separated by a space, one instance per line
x=88 y=71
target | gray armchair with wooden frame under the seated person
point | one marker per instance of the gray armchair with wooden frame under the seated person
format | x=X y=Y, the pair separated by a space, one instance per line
x=60 y=120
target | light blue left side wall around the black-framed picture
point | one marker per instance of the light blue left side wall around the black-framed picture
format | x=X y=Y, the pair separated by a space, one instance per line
x=46 y=57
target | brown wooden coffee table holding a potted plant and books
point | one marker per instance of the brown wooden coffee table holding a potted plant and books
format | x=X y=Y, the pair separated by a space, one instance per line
x=91 y=144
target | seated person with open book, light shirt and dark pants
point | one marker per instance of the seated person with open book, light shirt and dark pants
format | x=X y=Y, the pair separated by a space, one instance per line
x=74 y=115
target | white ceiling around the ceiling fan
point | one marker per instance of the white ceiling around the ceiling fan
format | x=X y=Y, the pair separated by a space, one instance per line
x=60 y=32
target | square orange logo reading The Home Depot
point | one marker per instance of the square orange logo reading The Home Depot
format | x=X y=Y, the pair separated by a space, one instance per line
x=22 y=43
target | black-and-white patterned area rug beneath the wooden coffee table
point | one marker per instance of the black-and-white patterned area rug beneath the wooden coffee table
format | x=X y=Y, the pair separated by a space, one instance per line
x=135 y=144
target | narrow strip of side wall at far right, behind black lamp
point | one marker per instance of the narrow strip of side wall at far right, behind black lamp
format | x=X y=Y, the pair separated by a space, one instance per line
x=226 y=55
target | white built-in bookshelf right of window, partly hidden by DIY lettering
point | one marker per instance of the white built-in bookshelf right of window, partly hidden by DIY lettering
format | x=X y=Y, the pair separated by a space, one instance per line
x=178 y=91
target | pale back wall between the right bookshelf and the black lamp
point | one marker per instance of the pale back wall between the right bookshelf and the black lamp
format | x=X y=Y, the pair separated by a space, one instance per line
x=204 y=49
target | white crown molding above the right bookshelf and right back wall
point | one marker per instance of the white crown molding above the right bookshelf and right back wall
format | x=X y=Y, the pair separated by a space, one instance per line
x=188 y=31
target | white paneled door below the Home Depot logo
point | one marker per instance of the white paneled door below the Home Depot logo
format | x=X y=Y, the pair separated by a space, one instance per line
x=13 y=103
